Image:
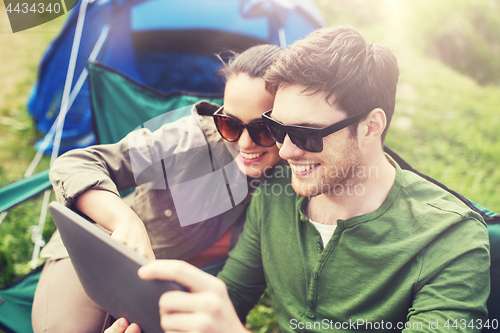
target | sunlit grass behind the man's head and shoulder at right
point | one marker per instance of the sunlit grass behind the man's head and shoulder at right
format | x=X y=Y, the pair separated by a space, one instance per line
x=445 y=124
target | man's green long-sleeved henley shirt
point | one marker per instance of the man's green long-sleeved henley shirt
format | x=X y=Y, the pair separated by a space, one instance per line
x=420 y=261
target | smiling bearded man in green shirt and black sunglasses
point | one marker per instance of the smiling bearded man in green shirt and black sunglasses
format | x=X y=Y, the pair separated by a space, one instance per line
x=364 y=245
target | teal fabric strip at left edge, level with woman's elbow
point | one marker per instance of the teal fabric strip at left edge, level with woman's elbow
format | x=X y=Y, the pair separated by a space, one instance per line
x=17 y=192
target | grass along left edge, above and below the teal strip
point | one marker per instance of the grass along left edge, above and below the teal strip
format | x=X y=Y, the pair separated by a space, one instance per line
x=20 y=55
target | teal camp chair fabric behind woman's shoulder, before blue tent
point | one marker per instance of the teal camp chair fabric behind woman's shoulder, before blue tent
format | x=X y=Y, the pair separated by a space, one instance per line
x=119 y=104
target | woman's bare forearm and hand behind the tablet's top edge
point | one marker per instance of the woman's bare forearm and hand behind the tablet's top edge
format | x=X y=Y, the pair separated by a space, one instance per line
x=109 y=210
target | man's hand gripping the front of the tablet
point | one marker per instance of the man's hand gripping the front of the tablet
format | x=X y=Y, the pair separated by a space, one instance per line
x=205 y=308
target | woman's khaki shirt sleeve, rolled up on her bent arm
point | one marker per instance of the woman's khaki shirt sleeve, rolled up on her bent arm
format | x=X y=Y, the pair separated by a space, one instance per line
x=136 y=160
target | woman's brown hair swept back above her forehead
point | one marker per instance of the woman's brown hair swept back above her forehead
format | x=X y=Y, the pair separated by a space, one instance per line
x=254 y=61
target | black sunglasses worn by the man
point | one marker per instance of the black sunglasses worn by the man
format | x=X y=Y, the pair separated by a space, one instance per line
x=307 y=138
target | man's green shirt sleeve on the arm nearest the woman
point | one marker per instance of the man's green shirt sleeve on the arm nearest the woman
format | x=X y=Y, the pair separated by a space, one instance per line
x=243 y=272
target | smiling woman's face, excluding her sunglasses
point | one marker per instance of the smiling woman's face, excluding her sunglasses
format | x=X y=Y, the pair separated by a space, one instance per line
x=246 y=98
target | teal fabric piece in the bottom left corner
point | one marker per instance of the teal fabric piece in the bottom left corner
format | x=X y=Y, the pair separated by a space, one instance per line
x=15 y=303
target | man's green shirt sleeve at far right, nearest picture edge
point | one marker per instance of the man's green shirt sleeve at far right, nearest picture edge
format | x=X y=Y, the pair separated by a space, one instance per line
x=454 y=283
